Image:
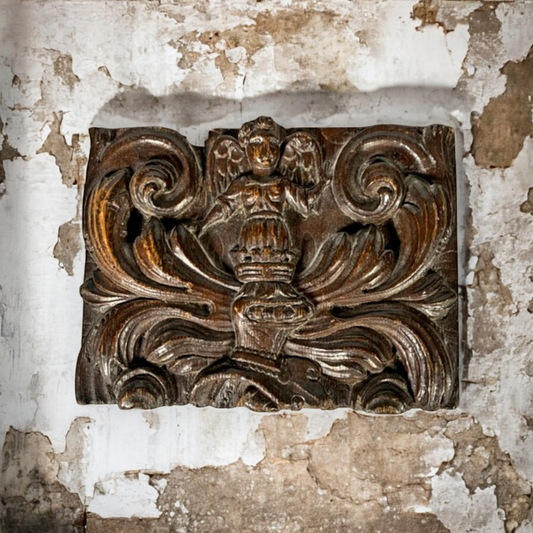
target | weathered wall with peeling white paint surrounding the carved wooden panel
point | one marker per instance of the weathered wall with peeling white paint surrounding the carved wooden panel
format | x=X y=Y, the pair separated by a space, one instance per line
x=68 y=65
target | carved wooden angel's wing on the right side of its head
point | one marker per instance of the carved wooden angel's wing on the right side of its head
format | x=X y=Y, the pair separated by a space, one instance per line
x=302 y=160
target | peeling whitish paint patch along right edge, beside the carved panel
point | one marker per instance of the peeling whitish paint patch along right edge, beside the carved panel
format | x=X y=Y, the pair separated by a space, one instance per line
x=500 y=407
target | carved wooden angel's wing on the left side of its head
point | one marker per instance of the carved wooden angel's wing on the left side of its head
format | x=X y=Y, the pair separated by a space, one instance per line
x=226 y=161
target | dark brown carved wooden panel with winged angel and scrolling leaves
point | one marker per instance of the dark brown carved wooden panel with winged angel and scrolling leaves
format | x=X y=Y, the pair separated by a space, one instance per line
x=274 y=269
